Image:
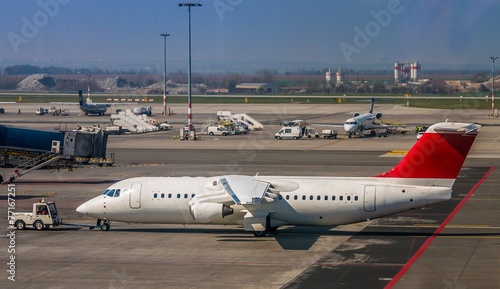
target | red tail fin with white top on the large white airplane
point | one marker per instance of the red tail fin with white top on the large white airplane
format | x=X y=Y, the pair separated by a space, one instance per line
x=439 y=154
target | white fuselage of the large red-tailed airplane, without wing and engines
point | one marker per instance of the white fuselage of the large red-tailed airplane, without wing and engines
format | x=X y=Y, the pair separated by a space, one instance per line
x=301 y=200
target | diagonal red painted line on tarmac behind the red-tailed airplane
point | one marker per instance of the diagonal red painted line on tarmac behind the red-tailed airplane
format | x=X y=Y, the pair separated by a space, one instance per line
x=436 y=233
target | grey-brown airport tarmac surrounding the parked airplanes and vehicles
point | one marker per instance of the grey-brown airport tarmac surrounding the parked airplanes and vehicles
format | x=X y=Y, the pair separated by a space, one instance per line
x=454 y=244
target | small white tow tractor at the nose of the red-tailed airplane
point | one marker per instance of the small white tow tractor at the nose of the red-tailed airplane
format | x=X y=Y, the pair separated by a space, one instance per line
x=44 y=216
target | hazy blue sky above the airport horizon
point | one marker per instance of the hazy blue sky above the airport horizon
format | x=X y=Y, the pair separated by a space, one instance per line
x=324 y=33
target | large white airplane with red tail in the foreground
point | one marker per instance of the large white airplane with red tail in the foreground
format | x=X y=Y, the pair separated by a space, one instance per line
x=263 y=203
